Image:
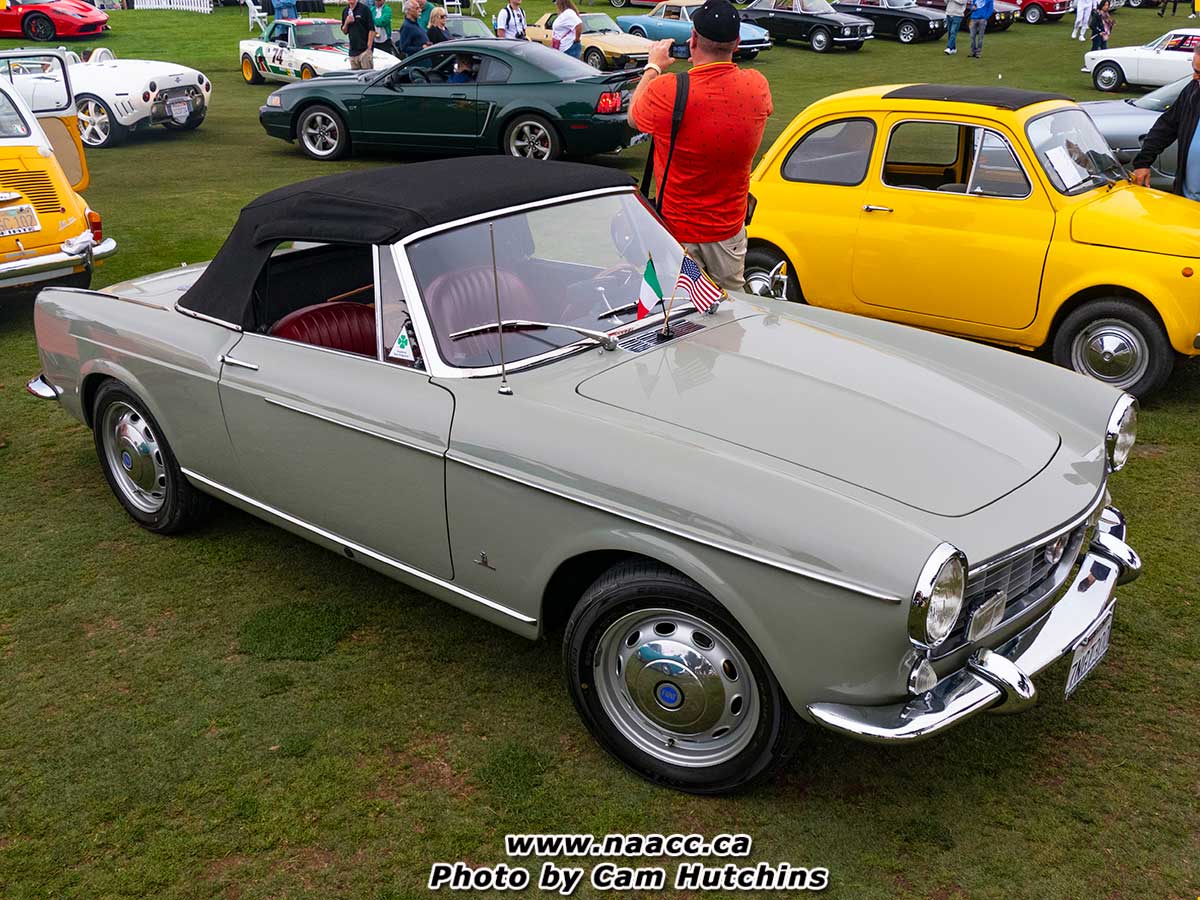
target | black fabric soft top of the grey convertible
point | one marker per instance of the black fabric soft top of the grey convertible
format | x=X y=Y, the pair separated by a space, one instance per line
x=379 y=206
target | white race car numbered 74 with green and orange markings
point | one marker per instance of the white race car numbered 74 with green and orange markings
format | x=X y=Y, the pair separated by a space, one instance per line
x=297 y=50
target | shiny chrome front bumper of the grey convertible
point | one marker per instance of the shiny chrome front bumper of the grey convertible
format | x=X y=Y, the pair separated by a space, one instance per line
x=1001 y=680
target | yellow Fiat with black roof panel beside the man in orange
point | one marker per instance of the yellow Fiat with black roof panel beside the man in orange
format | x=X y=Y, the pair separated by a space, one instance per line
x=988 y=213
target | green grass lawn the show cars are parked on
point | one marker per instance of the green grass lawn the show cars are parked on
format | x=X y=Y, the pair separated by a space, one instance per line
x=237 y=713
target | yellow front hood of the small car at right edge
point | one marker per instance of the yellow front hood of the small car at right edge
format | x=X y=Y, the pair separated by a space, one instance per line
x=1139 y=219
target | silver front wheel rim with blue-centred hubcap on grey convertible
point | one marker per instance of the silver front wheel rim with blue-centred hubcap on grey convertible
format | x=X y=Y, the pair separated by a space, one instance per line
x=676 y=688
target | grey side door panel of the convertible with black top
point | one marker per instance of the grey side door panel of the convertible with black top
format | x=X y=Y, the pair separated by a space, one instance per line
x=346 y=443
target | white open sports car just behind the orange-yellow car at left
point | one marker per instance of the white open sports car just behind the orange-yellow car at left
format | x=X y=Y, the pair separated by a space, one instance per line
x=115 y=97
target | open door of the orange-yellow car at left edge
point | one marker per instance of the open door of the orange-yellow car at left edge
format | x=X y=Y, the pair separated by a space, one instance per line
x=44 y=82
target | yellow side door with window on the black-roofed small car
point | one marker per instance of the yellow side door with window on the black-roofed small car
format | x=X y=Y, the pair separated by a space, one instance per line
x=955 y=229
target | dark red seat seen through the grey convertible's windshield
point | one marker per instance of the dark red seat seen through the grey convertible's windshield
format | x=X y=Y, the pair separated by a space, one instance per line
x=464 y=298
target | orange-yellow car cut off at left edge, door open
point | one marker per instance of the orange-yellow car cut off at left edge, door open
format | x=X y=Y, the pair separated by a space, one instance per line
x=47 y=232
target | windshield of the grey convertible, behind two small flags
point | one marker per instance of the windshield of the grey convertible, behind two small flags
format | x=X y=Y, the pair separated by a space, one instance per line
x=579 y=263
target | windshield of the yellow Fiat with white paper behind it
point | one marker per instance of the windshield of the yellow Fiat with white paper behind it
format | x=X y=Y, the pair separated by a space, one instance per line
x=1073 y=153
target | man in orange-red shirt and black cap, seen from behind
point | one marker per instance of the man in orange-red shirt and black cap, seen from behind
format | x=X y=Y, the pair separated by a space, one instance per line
x=704 y=201
